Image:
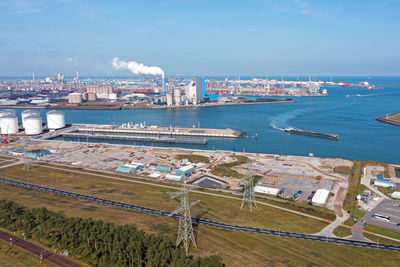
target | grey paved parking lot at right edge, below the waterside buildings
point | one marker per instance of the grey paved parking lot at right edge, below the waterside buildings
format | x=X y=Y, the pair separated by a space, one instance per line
x=387 y=208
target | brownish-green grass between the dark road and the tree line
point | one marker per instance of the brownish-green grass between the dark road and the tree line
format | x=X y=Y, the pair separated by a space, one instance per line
x=236 y=248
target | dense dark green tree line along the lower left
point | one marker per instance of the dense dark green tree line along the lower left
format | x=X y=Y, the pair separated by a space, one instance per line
x=96 y=242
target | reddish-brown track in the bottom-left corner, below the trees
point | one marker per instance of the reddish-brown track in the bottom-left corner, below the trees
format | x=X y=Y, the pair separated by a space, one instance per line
x=35 y=250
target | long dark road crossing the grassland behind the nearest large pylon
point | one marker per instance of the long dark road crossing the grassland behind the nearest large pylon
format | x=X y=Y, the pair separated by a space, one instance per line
x=224 y=226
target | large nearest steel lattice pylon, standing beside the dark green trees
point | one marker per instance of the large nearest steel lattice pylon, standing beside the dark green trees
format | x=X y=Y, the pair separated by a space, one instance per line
x=185 y=230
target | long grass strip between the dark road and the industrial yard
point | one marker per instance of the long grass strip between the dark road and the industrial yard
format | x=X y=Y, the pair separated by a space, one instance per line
x=210 y=207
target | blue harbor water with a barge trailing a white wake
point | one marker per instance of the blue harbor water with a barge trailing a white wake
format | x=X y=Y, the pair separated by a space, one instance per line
x=352 y=118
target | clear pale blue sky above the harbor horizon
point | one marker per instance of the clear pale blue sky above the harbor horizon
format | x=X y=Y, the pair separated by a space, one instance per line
x=201 y=37
